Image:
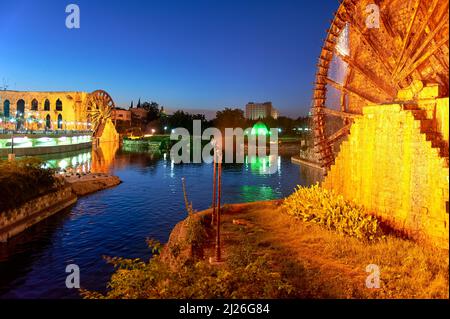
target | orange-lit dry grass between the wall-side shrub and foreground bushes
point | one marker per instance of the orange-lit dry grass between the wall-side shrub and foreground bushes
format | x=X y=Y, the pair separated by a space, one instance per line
x=323 y=264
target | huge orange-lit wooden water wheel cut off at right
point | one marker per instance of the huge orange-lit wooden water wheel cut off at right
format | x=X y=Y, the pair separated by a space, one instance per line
x=363 y=64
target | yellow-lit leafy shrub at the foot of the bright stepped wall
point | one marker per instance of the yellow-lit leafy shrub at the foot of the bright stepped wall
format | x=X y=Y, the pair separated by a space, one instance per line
x=321 y=206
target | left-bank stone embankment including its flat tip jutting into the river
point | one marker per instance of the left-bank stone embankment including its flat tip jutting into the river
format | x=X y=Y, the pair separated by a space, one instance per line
x=15 y=221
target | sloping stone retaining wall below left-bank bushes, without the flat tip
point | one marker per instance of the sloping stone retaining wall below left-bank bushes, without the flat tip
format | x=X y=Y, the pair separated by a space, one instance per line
x=15 y=221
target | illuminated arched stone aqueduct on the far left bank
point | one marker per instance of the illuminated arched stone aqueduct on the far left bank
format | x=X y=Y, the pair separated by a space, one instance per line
x=44 y=110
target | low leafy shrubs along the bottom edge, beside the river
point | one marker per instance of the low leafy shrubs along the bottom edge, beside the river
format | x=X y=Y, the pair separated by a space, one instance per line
x=135 y=279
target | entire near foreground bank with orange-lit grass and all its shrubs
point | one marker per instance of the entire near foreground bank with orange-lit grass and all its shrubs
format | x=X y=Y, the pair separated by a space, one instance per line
x=313 y=244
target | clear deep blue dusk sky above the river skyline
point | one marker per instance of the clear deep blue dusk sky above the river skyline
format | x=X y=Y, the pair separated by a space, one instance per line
x=181 y=54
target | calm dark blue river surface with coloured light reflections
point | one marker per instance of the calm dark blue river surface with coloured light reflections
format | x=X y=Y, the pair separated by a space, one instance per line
x=117 y=221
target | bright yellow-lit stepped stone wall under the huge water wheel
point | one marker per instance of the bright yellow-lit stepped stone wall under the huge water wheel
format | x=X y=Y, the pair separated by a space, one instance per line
x=389 y=165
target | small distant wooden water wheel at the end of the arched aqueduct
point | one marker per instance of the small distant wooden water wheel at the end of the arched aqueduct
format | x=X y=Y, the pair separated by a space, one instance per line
x=99 y=108
